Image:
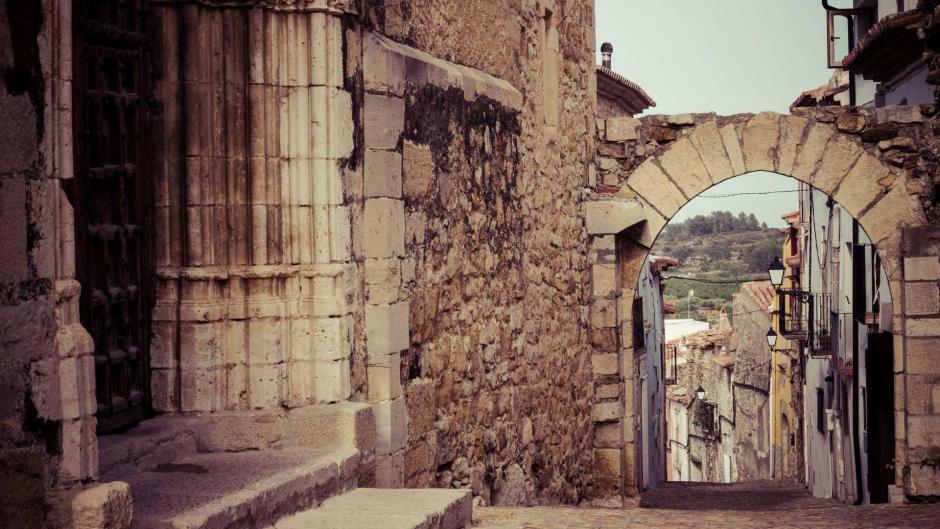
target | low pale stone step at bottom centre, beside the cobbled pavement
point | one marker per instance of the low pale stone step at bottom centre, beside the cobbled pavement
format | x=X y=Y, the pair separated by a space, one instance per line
x=387 y=509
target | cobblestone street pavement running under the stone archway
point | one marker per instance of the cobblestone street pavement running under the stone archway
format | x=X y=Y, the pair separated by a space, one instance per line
x=700 y=505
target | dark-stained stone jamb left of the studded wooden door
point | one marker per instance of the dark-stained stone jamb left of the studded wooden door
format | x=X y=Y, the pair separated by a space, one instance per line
x=47 y=423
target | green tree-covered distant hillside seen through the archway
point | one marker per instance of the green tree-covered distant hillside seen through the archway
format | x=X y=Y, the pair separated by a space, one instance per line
x=720 y=246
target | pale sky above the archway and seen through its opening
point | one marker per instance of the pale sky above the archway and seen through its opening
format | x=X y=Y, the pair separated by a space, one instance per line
x=724 y=56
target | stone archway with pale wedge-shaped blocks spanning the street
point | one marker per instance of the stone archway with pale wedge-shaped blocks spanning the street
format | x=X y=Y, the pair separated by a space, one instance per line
x=876 y=163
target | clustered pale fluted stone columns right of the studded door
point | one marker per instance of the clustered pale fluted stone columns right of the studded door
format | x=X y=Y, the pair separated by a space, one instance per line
x=253 y=234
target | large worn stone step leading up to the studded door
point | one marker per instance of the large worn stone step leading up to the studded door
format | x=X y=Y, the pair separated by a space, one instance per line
x=250 y=489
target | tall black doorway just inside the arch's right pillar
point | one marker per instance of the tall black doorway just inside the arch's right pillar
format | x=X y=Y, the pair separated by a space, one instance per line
x=879 y=421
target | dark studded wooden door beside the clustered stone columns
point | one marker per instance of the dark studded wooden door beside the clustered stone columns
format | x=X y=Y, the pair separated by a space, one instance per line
x=111 y=230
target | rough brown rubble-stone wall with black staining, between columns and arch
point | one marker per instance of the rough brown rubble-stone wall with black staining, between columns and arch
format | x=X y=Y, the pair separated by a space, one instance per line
x=496 y=369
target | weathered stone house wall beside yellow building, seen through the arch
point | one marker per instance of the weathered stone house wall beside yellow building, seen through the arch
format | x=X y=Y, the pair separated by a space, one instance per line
x=751 y=375
